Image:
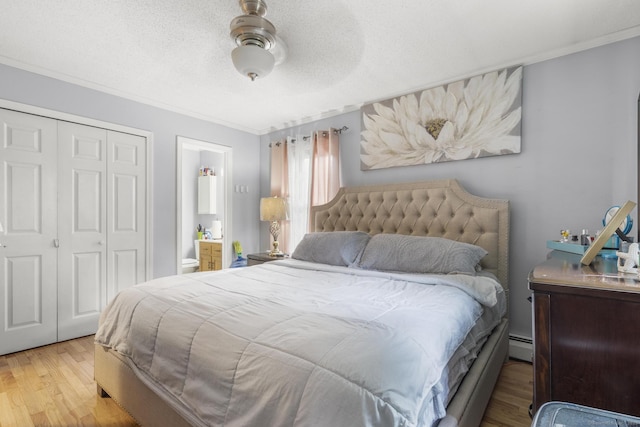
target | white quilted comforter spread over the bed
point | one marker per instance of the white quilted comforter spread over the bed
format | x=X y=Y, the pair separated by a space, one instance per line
x=285 y=344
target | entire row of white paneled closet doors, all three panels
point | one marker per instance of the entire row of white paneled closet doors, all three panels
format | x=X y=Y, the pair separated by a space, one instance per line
x=75 y=234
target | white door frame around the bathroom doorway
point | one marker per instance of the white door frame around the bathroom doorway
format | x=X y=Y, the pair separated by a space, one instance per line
x=184 y=143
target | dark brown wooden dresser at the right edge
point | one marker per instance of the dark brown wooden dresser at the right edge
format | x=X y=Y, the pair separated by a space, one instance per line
x=586 y=334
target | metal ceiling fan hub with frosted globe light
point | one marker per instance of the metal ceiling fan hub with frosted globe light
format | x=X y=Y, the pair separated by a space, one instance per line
x=258 y=49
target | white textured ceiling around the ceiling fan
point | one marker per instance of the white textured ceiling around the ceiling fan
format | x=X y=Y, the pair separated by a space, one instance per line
x=175 y=54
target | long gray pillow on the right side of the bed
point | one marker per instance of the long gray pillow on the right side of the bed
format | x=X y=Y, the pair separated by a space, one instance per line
x=416 y=254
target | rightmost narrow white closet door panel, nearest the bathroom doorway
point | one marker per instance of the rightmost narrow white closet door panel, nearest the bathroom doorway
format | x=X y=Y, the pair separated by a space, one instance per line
x=127 y=169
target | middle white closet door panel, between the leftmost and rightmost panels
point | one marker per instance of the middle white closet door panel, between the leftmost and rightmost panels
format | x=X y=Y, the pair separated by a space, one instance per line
x=82 y=228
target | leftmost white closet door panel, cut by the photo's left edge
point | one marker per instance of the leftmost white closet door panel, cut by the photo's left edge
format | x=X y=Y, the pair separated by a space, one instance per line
x=28 y=257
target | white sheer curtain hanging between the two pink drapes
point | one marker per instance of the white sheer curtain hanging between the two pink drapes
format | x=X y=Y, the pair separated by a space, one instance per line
x=299 y=151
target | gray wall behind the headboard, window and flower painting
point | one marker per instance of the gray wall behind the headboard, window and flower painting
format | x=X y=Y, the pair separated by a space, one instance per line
x=579 y=151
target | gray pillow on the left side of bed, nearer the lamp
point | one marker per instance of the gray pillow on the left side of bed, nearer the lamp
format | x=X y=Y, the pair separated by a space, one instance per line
x=333 y=248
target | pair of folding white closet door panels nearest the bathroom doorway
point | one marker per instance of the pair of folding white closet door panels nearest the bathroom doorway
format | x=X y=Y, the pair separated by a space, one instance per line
x=101 y=208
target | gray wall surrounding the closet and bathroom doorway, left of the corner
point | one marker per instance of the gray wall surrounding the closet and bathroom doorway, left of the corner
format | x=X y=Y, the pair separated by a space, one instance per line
x=33 y=89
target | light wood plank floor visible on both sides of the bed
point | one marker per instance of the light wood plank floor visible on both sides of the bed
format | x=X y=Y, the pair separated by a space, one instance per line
x=53 y=386
